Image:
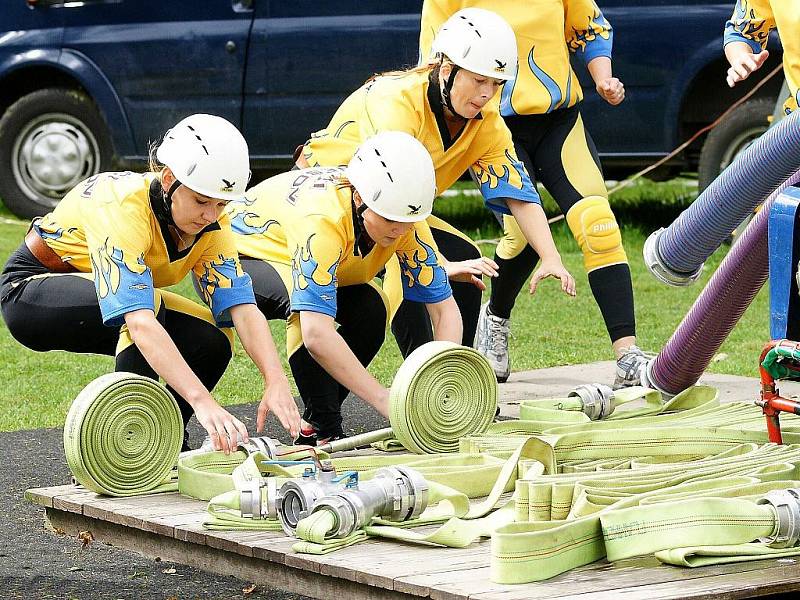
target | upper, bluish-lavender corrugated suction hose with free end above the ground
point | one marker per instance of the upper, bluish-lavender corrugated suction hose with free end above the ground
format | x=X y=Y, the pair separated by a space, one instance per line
x=723 y=205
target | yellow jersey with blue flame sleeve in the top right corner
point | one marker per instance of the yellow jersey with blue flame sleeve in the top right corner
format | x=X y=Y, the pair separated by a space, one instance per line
x=751 y=23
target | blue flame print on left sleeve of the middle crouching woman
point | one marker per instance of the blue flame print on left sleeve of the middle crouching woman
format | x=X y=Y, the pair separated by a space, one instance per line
x=314 y=288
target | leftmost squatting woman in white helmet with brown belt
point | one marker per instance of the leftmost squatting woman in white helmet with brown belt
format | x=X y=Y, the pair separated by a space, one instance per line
x=89 y=277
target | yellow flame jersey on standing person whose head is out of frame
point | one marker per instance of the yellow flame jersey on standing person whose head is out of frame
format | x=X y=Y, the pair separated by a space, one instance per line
x=547 y=32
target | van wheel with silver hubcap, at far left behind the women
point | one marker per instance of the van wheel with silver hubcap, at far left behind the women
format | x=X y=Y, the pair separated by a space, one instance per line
x=50 y=140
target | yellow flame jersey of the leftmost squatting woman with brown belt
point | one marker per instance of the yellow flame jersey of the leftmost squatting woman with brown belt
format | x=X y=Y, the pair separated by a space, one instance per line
x=113 y=225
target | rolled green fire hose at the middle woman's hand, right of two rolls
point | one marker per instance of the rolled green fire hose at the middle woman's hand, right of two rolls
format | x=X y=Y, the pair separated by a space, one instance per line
x=442 y=392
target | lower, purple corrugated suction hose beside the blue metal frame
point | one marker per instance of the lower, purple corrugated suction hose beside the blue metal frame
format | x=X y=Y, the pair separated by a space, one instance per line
x=718 y=307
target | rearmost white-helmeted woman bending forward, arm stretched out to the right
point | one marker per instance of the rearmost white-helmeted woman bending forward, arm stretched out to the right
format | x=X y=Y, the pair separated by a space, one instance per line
x=447 y=104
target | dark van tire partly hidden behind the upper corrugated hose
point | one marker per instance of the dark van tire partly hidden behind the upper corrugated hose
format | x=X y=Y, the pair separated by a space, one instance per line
x=745 y=124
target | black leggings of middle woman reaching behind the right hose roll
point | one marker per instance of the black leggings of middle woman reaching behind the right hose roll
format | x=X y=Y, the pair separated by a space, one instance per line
x=361 y=315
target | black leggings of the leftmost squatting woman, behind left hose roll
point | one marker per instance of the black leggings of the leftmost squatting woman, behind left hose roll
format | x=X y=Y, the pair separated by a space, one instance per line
x=46 y=311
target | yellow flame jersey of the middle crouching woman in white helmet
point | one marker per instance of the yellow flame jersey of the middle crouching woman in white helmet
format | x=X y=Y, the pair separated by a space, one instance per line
x=306 y=220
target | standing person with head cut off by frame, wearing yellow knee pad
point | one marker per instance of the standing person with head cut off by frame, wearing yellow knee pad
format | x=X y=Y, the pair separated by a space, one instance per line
x=542 y=108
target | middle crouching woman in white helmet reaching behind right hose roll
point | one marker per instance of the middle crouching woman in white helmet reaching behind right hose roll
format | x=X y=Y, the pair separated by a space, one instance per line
x=312 y=240
